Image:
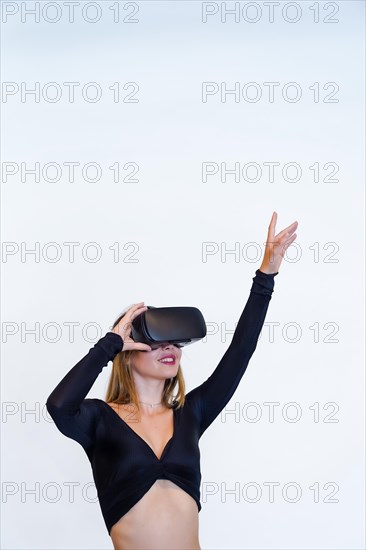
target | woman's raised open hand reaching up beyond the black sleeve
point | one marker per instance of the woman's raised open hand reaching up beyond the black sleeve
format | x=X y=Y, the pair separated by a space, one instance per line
x=276 y=245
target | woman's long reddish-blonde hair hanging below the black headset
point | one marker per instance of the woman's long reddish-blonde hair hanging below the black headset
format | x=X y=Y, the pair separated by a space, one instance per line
x=121 y=386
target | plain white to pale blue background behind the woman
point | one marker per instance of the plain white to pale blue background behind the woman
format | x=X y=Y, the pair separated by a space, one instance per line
x=169 y=213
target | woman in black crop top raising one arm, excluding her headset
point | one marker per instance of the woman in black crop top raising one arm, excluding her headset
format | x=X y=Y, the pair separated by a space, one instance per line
x=141 y=442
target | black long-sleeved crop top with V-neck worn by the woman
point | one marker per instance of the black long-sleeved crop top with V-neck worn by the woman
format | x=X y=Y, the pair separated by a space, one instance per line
x=124 y=466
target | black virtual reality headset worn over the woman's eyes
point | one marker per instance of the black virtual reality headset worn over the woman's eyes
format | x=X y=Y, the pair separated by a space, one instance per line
x=168 y=325
